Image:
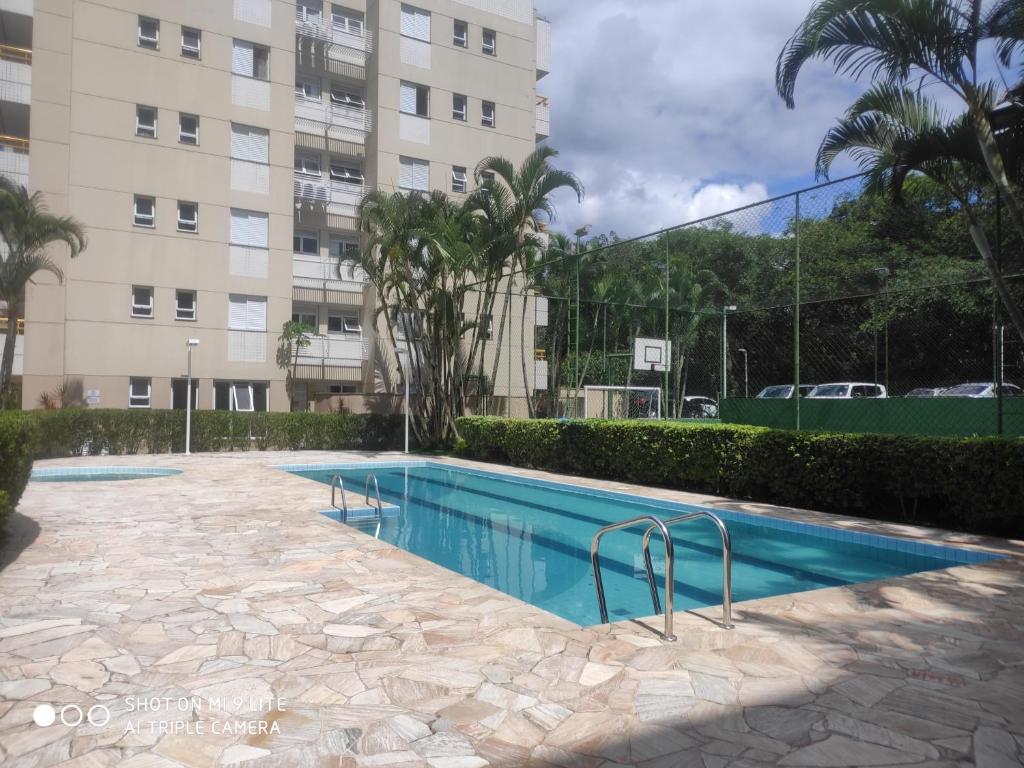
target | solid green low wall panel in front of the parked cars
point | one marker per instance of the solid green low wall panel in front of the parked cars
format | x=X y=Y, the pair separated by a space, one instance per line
x=961 y=417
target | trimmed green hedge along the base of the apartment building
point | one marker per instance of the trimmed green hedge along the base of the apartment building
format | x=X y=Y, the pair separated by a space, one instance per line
x=74 y=432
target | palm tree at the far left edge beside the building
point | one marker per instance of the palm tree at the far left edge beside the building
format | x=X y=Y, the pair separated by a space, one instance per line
x=27 y=230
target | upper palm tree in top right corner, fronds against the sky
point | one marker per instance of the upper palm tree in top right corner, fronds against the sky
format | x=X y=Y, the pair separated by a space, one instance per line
x=933 y=42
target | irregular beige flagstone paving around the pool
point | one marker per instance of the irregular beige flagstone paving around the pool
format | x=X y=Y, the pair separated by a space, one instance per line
x=220 y=621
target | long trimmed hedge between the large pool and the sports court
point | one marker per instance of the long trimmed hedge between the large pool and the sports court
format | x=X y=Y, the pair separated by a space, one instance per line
x=971 y=485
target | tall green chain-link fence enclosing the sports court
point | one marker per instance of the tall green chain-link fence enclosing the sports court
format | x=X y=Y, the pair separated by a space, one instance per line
x=729 y=317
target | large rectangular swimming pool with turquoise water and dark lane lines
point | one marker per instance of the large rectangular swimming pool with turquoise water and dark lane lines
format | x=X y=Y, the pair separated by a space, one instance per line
x=531 y=539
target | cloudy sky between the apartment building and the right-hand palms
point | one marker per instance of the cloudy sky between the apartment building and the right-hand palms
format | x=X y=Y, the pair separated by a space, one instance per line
x=667 y=110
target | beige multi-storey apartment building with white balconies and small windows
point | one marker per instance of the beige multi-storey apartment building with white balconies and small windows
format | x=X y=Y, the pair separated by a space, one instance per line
x=217 y=154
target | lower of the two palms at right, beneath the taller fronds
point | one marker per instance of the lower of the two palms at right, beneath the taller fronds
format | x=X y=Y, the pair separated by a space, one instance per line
x=892 y=133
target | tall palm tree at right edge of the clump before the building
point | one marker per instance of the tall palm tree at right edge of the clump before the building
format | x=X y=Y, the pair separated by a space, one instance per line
x=518 y=202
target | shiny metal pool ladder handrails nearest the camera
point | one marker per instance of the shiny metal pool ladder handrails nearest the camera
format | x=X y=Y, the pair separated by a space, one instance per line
x=657 y=524
